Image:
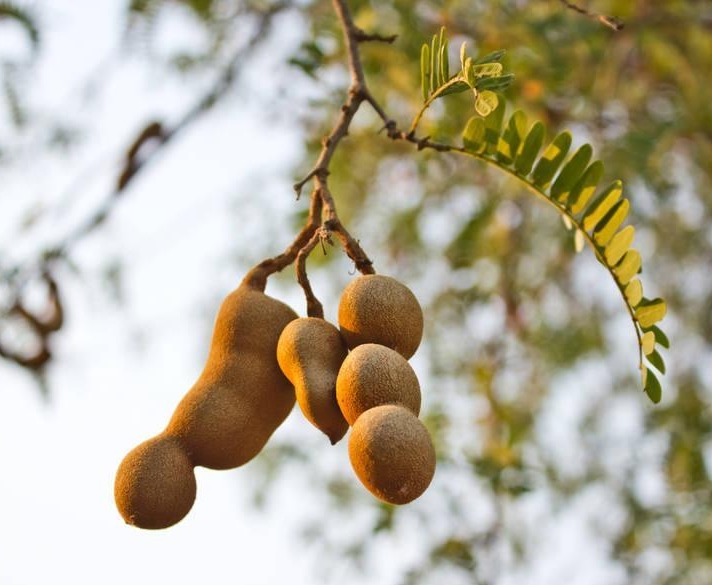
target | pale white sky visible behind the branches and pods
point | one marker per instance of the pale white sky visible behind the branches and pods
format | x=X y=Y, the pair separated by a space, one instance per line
x=215 y=202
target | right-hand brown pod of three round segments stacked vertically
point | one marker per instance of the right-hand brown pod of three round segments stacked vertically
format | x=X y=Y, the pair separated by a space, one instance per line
x=378 y=392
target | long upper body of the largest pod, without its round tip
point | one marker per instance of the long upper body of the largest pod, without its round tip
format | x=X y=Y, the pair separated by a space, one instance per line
x=241 y=396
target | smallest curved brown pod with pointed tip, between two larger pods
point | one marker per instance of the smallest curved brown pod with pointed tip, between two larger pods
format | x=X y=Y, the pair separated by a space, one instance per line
x=310 y=352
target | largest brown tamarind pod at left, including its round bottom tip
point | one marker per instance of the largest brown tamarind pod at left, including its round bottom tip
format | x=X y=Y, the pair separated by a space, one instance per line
x=224 y=420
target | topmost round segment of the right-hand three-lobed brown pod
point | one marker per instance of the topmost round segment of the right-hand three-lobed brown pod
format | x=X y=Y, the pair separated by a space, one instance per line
x=378 y=309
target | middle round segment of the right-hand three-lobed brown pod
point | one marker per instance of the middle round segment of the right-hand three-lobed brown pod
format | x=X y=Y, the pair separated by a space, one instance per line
x=373 y=375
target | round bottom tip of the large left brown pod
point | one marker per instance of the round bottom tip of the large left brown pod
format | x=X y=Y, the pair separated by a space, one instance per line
x=155 y=484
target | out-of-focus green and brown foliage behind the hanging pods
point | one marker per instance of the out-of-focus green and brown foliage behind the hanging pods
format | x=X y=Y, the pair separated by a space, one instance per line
x=532 y=391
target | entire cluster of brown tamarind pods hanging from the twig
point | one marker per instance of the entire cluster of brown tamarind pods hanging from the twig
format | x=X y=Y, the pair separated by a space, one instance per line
x=262 y=358
